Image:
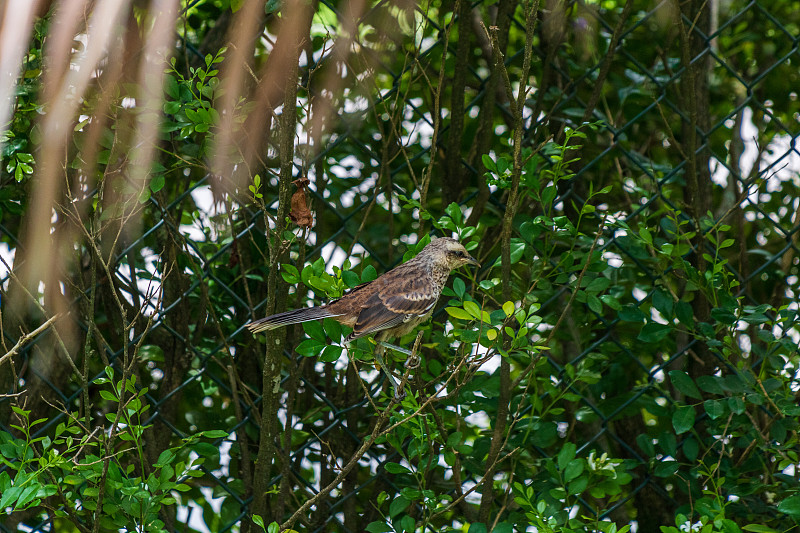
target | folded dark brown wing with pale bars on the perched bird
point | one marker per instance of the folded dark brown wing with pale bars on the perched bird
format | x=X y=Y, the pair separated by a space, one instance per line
x=398 y=300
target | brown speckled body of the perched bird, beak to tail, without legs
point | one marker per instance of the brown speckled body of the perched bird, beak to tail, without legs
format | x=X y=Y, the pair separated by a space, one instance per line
x=391 y=305
